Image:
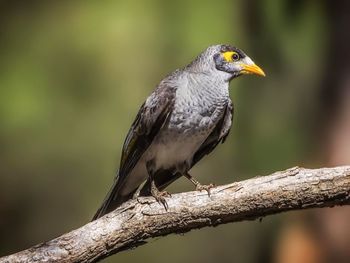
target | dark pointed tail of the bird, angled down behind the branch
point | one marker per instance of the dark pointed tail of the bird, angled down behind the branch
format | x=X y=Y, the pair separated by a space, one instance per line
x=112 y=201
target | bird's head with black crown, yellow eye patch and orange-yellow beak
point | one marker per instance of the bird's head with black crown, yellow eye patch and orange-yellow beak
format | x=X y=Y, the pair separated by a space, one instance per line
x=227 y=60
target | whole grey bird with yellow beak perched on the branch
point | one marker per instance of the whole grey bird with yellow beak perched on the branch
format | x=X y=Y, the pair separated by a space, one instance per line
x=185 y=118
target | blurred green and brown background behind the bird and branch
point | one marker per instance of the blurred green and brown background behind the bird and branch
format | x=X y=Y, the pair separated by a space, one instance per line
x=74 y=73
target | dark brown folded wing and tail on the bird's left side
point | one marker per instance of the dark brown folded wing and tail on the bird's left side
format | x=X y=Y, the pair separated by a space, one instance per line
x=153 y=114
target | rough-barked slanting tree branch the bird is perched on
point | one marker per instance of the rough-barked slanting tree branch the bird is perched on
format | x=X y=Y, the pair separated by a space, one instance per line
x=136 y=221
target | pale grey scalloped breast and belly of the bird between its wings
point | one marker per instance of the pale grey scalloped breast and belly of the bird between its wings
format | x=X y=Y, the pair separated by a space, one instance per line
x=200 y=103
